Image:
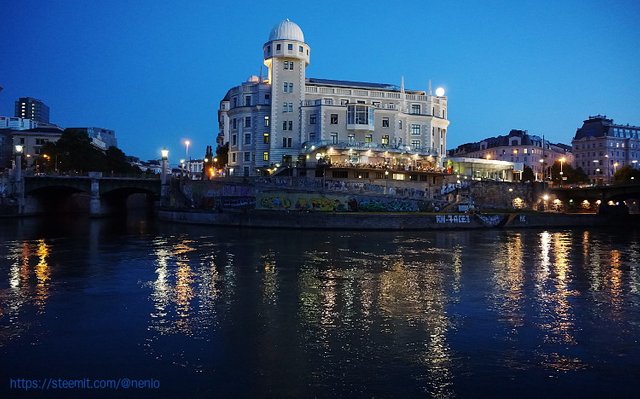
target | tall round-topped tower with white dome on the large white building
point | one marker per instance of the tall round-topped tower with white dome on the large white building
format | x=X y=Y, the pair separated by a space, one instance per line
x=286 y=56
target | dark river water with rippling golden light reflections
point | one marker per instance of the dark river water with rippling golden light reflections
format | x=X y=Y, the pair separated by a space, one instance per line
x=224 y=312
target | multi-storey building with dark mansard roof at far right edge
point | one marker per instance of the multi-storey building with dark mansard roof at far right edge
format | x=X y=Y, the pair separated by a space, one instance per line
x=601 y=147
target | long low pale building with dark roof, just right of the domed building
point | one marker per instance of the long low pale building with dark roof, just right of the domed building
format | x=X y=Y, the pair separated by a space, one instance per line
x=518 y=147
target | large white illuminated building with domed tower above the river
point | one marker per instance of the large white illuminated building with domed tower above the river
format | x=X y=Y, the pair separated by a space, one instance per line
x=287 y=119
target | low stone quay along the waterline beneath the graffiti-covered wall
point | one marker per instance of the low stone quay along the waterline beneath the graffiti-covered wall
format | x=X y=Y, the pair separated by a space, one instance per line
x=386 y=221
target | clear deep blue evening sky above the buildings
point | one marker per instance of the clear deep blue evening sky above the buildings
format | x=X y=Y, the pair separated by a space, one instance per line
x=155 y=71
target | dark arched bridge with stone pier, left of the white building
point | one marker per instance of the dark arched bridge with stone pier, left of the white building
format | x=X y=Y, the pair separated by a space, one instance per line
x=97 y=194
